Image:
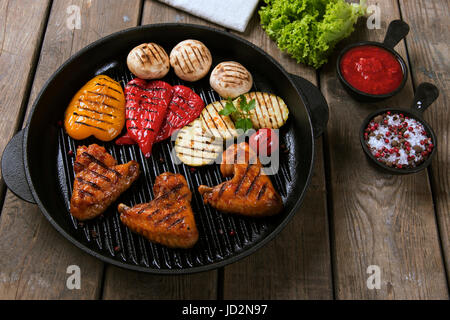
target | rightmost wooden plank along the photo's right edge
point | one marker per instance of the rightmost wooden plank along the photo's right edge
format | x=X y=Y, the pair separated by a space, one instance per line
x=428 y=51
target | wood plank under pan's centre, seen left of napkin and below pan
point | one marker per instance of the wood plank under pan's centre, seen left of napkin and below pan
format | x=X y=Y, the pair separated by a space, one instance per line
x=124 y=284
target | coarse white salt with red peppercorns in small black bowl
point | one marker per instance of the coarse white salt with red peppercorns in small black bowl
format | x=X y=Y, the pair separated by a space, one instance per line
x=398 y=141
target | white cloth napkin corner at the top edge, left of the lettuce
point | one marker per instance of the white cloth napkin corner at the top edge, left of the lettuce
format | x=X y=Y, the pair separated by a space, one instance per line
x=232 y=14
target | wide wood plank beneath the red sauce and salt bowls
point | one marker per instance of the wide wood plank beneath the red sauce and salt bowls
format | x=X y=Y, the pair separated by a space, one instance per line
x=378 y=219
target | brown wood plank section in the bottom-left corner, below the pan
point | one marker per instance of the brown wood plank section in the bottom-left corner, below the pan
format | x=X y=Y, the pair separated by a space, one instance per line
x=34 y=257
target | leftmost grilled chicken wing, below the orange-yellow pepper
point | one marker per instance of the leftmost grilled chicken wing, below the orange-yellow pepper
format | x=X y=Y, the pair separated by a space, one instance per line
x=99 y=181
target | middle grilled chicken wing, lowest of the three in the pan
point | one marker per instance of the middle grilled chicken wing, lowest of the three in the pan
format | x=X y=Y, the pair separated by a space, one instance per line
x=168 y=219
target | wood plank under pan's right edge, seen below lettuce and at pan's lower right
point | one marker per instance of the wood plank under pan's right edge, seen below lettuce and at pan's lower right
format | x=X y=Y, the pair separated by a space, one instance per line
x=297 y=263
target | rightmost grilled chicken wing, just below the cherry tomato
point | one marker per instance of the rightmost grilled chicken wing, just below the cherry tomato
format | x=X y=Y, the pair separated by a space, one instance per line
x=250 y=192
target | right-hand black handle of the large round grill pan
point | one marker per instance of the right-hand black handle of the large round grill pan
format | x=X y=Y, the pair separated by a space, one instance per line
x=315 y=102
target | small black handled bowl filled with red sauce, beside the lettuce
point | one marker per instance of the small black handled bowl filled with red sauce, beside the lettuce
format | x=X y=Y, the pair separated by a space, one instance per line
x=373 y=71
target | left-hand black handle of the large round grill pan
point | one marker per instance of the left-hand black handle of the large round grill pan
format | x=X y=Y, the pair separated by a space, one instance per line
x=13 y=170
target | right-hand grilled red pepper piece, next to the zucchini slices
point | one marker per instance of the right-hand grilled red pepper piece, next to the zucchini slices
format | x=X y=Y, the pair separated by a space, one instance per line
x=184 y=108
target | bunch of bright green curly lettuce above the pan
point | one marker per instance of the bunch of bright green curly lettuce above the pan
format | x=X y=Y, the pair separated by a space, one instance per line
x=308 y=30
